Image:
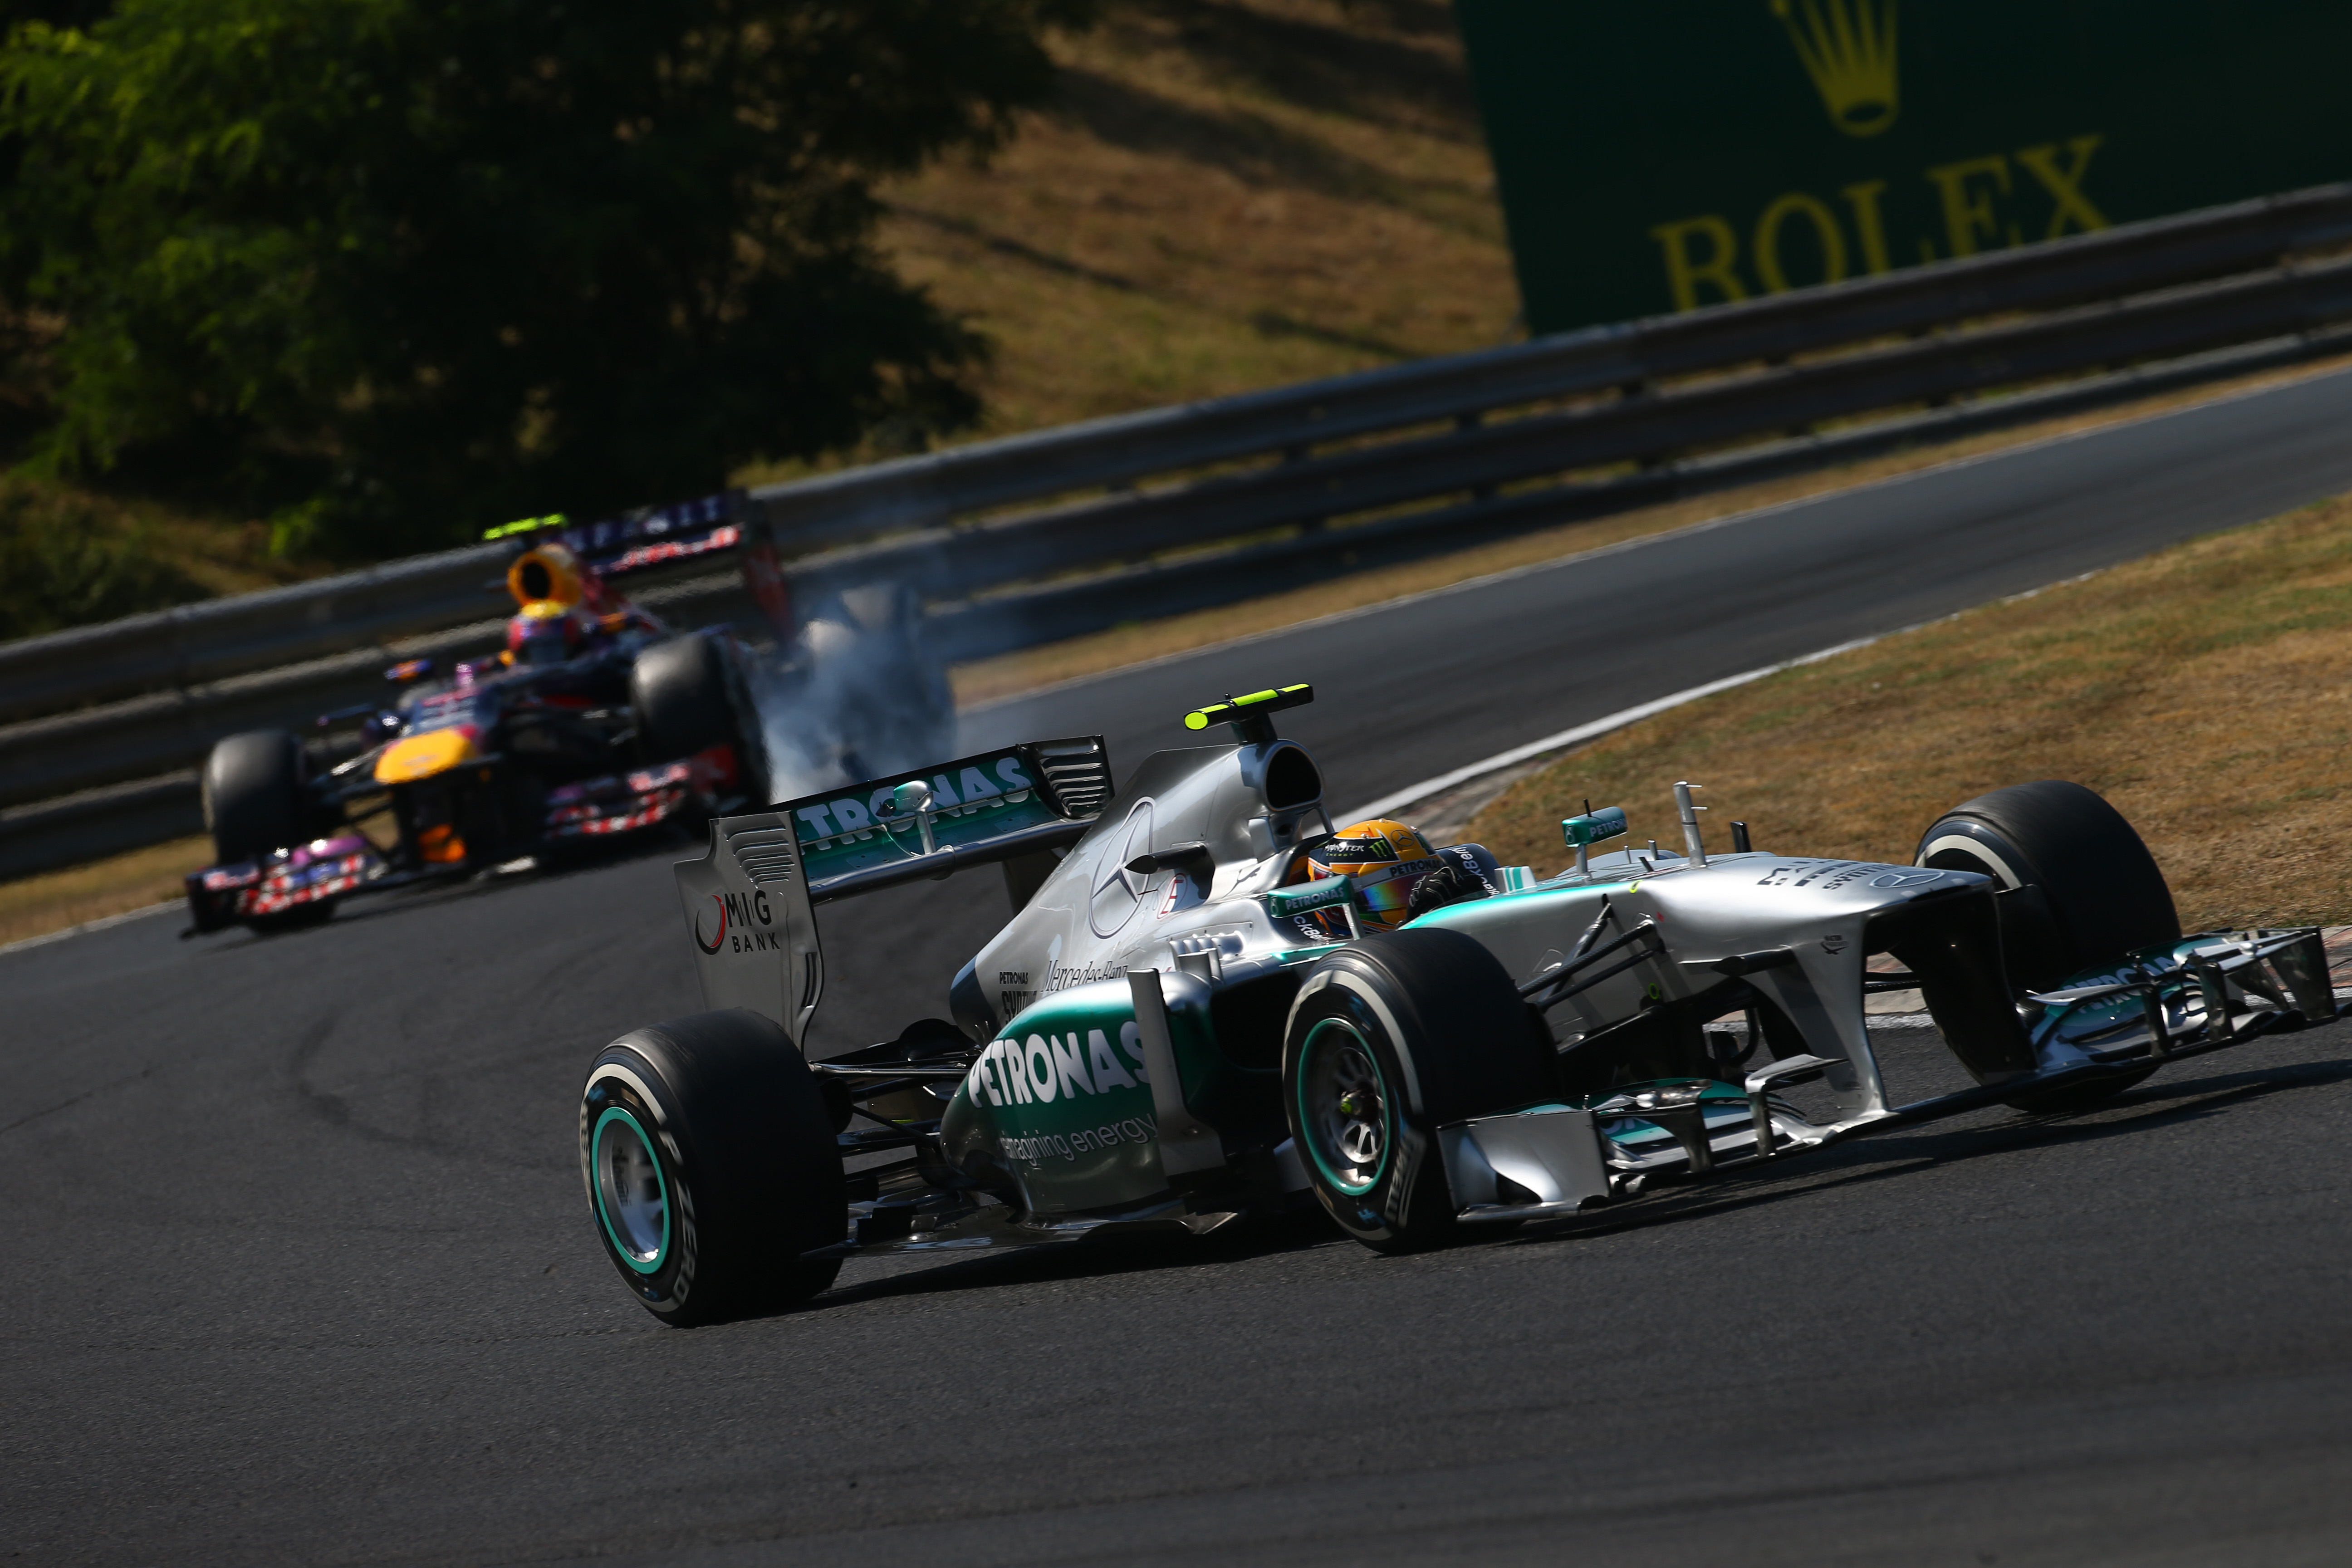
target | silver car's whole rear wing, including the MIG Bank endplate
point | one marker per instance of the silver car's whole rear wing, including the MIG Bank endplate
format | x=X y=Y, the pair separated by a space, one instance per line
x=749 y=899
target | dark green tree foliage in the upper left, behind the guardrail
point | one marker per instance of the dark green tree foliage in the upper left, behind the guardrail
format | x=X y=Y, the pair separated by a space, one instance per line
x=408 y=267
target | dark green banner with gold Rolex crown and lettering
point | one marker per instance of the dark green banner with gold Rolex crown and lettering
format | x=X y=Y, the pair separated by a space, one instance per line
x=1683 y=154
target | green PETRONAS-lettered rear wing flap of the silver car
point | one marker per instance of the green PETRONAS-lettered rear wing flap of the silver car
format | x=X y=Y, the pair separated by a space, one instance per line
x=942 y=819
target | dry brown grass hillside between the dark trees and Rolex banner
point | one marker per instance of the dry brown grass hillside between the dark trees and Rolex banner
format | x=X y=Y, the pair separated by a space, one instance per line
x=1229 y=196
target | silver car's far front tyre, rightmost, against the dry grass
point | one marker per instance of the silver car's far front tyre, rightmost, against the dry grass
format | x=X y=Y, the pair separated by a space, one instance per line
x=2085 y=892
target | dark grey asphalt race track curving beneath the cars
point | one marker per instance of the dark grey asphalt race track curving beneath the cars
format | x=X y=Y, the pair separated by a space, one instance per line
x=300 y=1266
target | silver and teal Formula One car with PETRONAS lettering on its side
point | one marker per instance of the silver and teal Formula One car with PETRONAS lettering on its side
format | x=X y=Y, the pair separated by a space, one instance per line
x=1184 y=1024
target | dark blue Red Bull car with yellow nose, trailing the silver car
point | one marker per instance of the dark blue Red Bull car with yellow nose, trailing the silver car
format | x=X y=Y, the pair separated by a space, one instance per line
x=596 y=721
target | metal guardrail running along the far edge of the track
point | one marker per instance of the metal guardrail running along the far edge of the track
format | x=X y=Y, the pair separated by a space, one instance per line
x=1053 y=535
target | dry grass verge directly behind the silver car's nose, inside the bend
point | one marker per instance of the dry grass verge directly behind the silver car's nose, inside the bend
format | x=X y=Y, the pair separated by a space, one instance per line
x=2200 y=690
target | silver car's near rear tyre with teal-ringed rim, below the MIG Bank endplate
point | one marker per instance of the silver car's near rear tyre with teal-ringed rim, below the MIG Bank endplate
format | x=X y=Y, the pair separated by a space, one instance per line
x=711 y=1167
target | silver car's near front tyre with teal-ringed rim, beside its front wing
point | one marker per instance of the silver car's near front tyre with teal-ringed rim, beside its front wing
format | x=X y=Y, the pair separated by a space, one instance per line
x=1391 y=1040
